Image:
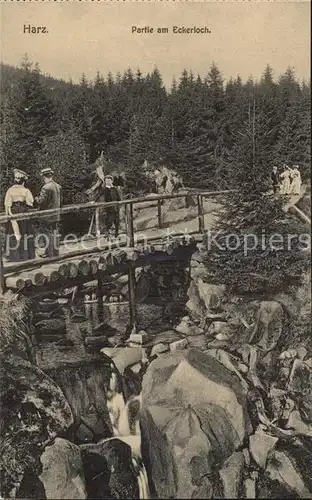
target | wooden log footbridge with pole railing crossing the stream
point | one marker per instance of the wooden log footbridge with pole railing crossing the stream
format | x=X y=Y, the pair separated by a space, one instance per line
x=93 y=258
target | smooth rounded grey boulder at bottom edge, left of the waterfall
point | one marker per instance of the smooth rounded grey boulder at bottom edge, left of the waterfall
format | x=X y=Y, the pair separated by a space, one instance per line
x=62 y=471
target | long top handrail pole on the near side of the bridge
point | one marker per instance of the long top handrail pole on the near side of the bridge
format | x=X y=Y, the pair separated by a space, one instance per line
x=35 y=214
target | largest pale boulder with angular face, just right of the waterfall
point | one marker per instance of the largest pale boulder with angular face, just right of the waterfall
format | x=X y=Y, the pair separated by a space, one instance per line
x=194 y=417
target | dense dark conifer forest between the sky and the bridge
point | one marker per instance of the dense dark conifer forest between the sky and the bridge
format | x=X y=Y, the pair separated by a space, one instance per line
x=203 y=127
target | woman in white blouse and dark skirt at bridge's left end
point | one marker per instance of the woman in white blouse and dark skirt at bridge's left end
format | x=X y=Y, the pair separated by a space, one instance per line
x=20 y=237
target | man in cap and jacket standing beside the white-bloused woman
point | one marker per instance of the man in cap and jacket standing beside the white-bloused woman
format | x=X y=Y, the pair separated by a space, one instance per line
x=50 y=198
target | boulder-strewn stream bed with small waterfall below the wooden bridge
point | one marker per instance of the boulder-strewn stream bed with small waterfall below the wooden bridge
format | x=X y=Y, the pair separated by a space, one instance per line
x=213 y=395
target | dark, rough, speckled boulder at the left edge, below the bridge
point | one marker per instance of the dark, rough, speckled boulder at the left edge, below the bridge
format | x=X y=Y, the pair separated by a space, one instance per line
x=33 y=412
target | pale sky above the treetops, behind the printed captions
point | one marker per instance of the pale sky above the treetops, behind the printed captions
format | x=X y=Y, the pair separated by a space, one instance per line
x=86 y=37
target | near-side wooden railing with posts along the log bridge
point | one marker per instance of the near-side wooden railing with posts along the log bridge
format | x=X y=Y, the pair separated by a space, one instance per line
x=128 y=204
